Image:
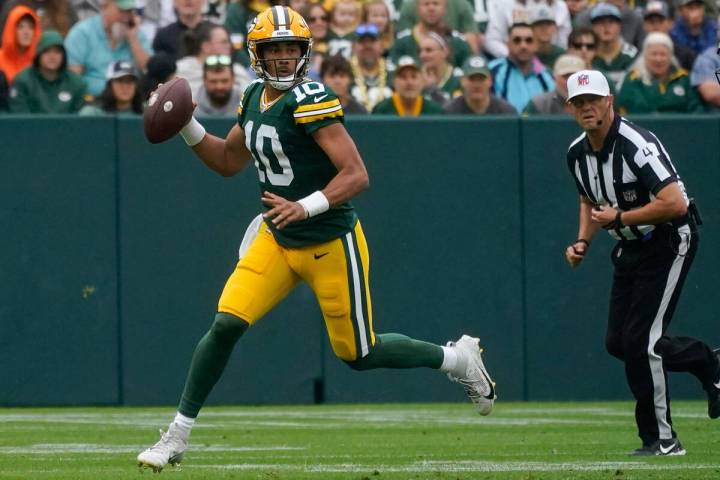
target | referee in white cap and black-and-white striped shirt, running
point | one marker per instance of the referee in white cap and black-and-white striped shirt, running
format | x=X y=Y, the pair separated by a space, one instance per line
x=629 y=187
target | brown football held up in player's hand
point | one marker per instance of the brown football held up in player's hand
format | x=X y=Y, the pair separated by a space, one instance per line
x=169 y=109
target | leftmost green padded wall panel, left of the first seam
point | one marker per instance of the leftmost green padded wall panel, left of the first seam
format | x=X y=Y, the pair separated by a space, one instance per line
x=58 y=276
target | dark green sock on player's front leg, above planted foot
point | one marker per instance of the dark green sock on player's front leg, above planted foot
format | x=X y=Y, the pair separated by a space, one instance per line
x=209 y=360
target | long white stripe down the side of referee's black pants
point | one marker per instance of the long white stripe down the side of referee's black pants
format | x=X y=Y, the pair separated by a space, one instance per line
x=654 y=359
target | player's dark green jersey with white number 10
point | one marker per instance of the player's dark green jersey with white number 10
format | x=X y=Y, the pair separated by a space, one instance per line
x=289 y=161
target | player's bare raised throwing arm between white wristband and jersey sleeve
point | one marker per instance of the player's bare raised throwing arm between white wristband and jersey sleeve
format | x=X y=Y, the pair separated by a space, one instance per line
x=226 y=156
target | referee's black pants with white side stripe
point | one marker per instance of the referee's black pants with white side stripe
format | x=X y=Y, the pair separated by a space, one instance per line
x=649 y=275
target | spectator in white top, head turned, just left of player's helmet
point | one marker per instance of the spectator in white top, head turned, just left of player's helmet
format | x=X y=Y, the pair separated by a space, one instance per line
x=206 y=40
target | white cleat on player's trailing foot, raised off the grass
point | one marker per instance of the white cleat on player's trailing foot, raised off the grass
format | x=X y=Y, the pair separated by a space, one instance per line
x=476 y=380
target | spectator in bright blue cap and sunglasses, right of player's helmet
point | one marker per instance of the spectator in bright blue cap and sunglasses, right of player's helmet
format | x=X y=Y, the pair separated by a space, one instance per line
x=369 y=68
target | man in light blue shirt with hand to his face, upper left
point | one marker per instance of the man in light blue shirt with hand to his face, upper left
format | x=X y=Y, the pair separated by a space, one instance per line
x=96 y=43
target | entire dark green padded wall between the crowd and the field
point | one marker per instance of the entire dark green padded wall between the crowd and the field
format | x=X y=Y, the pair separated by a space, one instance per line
x=114 y=252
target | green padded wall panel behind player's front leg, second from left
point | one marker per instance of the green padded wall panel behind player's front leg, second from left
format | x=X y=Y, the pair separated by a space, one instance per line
x=180 y=226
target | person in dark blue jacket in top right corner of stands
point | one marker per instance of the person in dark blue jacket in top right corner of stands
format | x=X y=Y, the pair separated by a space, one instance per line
x=692 y=29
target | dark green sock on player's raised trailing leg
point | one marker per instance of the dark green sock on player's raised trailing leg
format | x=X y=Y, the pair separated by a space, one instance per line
x=393 y=350
